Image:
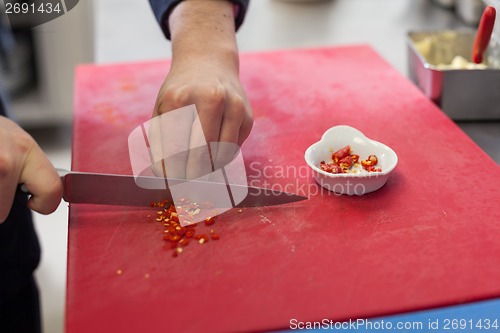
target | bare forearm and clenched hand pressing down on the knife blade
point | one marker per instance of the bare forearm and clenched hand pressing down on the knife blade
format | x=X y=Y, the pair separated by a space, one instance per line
x=205 y=72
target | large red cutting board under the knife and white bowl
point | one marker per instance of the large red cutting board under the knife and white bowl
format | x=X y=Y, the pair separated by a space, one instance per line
x=428 y=238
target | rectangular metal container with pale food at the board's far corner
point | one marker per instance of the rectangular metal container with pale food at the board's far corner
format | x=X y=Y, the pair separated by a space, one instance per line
x=463 y=94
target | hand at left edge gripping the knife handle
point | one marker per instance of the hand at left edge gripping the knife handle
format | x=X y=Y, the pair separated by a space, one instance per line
x=22 y=161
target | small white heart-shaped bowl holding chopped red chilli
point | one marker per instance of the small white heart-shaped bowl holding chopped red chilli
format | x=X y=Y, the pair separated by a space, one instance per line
x=357 y=181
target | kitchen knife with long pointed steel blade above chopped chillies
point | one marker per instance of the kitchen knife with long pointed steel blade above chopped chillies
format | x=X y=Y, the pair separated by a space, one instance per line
x=122 y=190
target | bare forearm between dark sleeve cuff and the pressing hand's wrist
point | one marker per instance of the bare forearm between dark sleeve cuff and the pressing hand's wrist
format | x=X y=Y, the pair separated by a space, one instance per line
x=205 y=30
